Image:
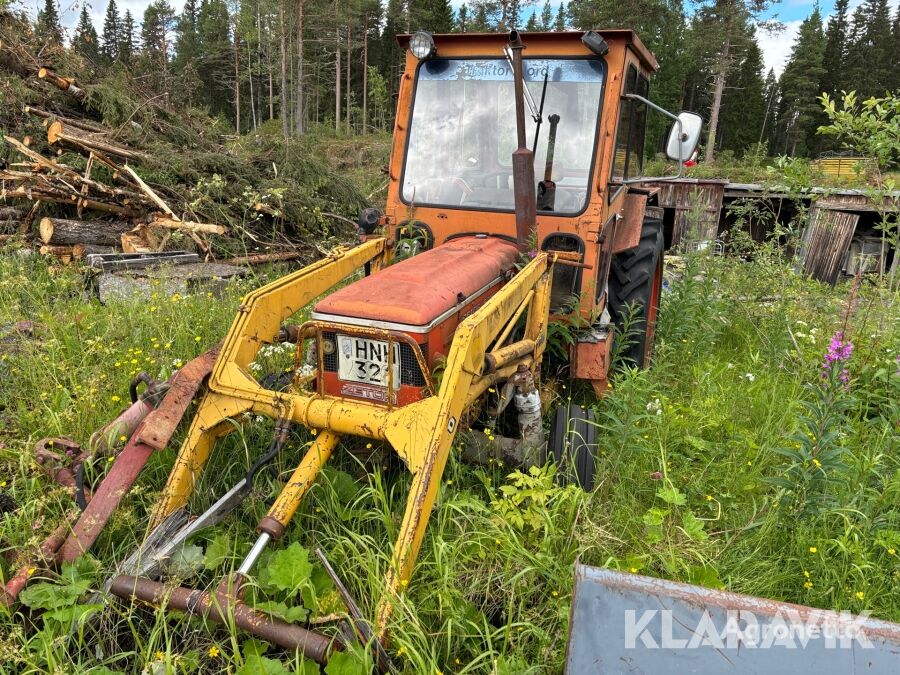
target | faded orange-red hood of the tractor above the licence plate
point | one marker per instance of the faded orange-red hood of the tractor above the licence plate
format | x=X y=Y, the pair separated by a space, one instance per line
x=422 y=290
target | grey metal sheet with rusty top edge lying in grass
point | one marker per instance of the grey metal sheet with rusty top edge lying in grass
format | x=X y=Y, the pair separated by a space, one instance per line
x=627 y=623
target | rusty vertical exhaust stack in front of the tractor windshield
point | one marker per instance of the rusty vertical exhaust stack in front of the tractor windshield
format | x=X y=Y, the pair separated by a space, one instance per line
x=522 y=157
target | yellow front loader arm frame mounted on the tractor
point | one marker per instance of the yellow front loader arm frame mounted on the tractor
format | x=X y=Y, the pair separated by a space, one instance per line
x=421 y=433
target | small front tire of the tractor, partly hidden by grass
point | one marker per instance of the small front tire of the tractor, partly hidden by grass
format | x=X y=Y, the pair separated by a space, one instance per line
x=573 y=439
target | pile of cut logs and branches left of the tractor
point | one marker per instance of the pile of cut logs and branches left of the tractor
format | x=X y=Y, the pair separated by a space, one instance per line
x=70 y=208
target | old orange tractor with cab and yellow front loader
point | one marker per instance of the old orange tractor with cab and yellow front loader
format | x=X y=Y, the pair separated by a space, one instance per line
x=514 y=201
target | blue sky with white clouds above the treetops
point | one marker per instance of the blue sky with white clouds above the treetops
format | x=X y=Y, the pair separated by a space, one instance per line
x=776 y=47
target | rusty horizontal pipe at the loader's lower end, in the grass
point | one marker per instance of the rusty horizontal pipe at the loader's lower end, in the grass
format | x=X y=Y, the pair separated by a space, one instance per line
x=222 y=608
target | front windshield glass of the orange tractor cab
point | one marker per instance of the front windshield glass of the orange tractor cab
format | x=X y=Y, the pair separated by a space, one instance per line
x=463 y=132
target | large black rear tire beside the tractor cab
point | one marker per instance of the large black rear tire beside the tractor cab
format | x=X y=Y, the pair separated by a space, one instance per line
x=635 y=277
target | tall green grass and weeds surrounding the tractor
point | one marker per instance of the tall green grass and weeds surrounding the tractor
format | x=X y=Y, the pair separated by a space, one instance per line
x=706 y=473
